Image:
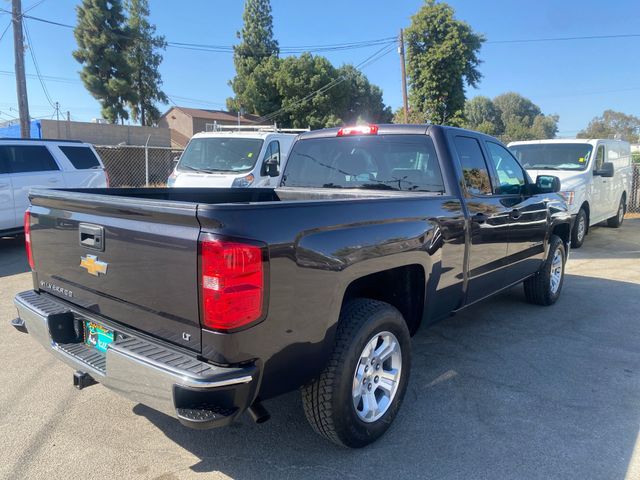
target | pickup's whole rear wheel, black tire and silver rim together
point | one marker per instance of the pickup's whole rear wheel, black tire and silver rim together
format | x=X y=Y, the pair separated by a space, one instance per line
x=357 y=396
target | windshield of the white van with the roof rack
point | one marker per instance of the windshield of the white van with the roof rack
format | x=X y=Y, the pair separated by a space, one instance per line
x=219 y=154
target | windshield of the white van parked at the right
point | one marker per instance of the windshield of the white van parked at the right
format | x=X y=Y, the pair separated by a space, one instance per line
x=553 y=156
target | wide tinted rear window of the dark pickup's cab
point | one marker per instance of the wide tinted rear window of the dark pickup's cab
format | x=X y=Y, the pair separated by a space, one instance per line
x=374 y=162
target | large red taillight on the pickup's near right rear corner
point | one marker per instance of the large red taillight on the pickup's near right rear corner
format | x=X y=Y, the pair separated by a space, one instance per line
x=231 y=282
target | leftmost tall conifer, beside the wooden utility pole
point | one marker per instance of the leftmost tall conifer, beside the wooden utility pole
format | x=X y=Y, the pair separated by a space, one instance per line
x=103 y=40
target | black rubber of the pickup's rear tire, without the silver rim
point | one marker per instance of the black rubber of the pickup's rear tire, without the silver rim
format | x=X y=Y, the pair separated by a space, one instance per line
x=328 y=400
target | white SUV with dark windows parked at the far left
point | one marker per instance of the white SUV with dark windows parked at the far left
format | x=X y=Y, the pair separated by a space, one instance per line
x=42 y=163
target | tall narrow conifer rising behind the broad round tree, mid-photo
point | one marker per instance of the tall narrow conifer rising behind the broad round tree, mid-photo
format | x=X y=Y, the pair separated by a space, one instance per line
x=256 y=47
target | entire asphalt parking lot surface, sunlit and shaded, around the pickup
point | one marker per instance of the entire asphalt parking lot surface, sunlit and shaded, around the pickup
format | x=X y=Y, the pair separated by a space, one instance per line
x=504 y=390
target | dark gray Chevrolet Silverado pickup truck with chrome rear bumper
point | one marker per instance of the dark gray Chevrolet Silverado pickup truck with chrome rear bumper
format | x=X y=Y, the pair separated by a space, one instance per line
x=200 y=303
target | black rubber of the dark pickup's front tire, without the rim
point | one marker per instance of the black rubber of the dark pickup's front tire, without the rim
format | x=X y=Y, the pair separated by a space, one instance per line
x=538 y=289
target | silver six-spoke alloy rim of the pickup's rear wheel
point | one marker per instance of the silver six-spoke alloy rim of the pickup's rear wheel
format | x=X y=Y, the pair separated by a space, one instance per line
x=377 y=376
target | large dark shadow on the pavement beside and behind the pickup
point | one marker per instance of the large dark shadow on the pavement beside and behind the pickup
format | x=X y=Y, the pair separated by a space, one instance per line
x=505 y=390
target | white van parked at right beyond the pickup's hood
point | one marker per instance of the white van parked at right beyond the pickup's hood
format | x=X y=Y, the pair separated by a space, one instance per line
x=595 y=175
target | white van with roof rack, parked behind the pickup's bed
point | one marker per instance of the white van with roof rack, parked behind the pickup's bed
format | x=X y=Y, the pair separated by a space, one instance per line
x=245 y=157
